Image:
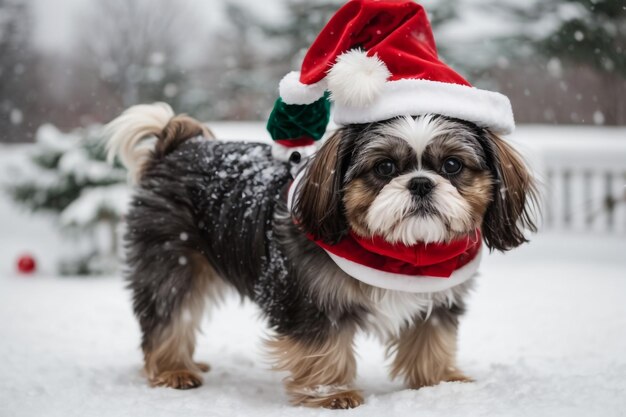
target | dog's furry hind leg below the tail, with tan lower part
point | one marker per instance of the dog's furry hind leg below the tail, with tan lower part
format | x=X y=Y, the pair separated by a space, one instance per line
x=172 y=281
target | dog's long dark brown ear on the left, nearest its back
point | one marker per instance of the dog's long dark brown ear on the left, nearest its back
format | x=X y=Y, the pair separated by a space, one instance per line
x=318 y=207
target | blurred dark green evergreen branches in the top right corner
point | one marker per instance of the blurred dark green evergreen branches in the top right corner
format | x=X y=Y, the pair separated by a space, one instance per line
x=583 y=34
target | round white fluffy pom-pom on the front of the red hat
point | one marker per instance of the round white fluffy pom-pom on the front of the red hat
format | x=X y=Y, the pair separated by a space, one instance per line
x=356 y=80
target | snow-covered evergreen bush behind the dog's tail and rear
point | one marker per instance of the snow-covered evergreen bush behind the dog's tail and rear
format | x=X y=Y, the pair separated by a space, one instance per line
x=66 y=174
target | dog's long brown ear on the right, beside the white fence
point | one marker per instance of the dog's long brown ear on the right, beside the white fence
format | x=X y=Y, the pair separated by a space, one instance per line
x=514 y=199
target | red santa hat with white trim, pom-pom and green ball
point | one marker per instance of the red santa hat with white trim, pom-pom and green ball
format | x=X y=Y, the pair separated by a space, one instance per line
x=375 y=60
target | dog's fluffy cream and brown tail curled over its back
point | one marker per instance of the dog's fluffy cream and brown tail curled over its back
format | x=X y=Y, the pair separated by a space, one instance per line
x=147 y=132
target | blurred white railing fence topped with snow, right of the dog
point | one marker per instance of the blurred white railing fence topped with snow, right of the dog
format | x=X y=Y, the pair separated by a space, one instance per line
x=583 y=171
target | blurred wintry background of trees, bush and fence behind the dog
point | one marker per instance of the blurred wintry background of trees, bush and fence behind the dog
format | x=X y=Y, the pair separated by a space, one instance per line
x=67 y=66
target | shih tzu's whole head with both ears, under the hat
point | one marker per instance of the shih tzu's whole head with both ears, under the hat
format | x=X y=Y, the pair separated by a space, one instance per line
x=416 y=179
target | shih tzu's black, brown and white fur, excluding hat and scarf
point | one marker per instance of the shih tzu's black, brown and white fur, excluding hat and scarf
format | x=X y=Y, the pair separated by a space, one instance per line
x=207 y=215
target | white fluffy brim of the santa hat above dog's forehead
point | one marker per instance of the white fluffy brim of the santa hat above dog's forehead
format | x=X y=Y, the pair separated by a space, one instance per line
x=415 y=97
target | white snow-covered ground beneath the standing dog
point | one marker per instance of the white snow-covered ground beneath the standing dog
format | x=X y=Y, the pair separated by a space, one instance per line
x=545 y=335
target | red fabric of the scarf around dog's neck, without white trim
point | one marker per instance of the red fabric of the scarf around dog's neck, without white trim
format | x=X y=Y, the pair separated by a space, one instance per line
x=432 y=260
